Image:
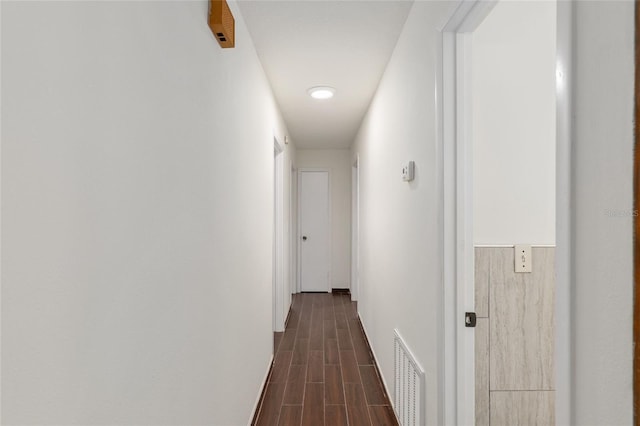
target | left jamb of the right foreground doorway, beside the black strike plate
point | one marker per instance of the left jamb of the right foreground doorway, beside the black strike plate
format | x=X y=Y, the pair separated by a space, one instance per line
x=457 y=377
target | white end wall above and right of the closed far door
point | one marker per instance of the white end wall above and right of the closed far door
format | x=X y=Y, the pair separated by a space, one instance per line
x=339 y=162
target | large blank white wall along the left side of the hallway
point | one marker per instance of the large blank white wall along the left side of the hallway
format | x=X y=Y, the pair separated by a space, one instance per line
x=137 y=164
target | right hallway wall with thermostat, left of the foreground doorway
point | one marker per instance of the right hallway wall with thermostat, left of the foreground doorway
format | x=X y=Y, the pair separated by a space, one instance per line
x=400 y=253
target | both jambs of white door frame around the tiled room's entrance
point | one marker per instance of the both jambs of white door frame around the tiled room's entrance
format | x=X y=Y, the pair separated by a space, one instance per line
x=457 y=357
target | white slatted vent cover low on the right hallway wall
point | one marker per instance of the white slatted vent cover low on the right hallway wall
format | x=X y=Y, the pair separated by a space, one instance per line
x=408 y=398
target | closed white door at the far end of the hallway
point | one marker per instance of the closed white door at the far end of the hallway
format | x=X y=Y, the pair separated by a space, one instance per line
x=315 y=233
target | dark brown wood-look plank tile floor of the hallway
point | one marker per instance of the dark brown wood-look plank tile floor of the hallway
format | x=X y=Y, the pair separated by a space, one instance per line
x=323 y=371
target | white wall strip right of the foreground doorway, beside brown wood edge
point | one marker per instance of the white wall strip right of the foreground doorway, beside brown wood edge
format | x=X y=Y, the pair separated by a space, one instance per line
x=602 y=213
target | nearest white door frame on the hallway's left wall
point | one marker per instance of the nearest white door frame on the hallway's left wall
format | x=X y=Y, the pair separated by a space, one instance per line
x=278 y=237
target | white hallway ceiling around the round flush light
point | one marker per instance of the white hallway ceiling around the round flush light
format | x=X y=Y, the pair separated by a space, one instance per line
x=342 y=44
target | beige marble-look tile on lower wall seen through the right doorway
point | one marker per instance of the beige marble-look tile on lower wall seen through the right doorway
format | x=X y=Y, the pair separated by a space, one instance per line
x=514 y=338
